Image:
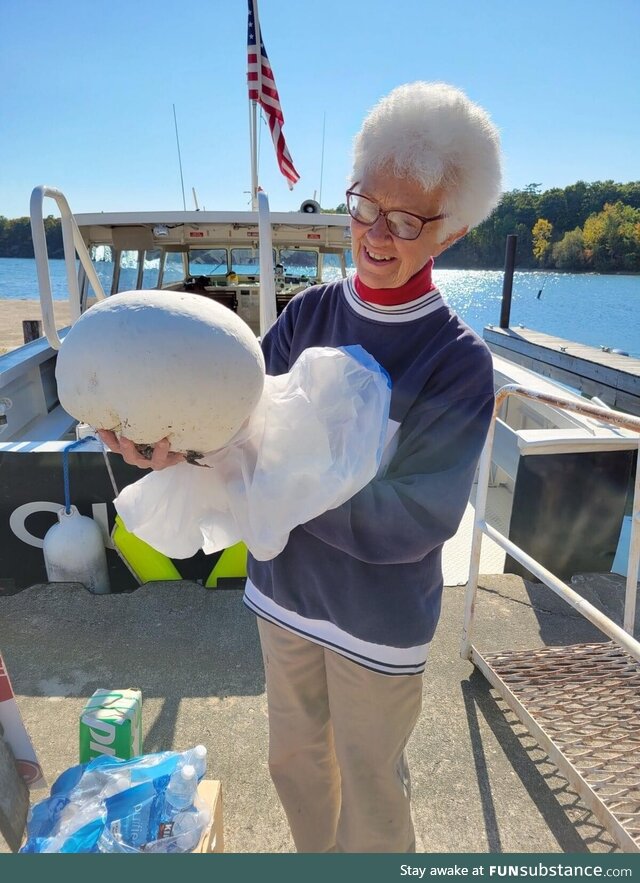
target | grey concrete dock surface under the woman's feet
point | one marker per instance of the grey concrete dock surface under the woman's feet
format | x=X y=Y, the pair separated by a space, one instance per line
x=480 y=783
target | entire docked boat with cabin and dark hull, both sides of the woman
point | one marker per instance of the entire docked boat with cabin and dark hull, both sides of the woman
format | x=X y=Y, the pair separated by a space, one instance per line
x=253 y=263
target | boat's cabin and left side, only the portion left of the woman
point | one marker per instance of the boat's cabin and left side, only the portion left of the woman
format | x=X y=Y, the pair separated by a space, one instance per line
x=251 y=262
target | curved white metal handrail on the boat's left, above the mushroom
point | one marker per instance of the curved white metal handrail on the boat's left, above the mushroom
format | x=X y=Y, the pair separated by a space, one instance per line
x=72 y=242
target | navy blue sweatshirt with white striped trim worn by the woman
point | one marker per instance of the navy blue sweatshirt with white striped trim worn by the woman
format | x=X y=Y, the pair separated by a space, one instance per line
x=365 y=578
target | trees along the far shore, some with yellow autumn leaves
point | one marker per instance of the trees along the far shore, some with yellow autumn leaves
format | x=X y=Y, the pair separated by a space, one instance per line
x=583 y=227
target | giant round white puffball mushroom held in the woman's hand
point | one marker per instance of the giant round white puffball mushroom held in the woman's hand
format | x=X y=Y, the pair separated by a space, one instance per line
x=155 y=364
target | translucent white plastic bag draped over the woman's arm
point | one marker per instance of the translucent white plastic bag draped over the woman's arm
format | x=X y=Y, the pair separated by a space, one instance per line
x=314 y=440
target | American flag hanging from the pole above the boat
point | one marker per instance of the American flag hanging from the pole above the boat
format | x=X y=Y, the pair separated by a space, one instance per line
x=262 y=88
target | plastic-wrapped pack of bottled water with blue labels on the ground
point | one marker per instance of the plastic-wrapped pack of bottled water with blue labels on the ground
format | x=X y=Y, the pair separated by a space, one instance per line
x=146 y=804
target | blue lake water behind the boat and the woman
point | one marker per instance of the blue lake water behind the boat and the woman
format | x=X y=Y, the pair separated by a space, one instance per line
x=586 y=308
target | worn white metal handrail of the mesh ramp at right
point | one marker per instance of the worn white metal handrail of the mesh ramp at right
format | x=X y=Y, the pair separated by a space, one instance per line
x=622 y=636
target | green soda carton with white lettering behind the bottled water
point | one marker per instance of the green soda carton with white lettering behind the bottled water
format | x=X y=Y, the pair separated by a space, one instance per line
x=111 y=723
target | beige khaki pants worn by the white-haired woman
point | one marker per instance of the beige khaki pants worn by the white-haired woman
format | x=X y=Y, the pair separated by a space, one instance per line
x=337 y=734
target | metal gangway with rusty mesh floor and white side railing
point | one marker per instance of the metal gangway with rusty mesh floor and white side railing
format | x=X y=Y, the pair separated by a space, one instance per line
x=580 y=702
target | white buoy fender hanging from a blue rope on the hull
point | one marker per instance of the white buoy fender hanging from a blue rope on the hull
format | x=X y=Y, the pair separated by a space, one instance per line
x=74 y=552
